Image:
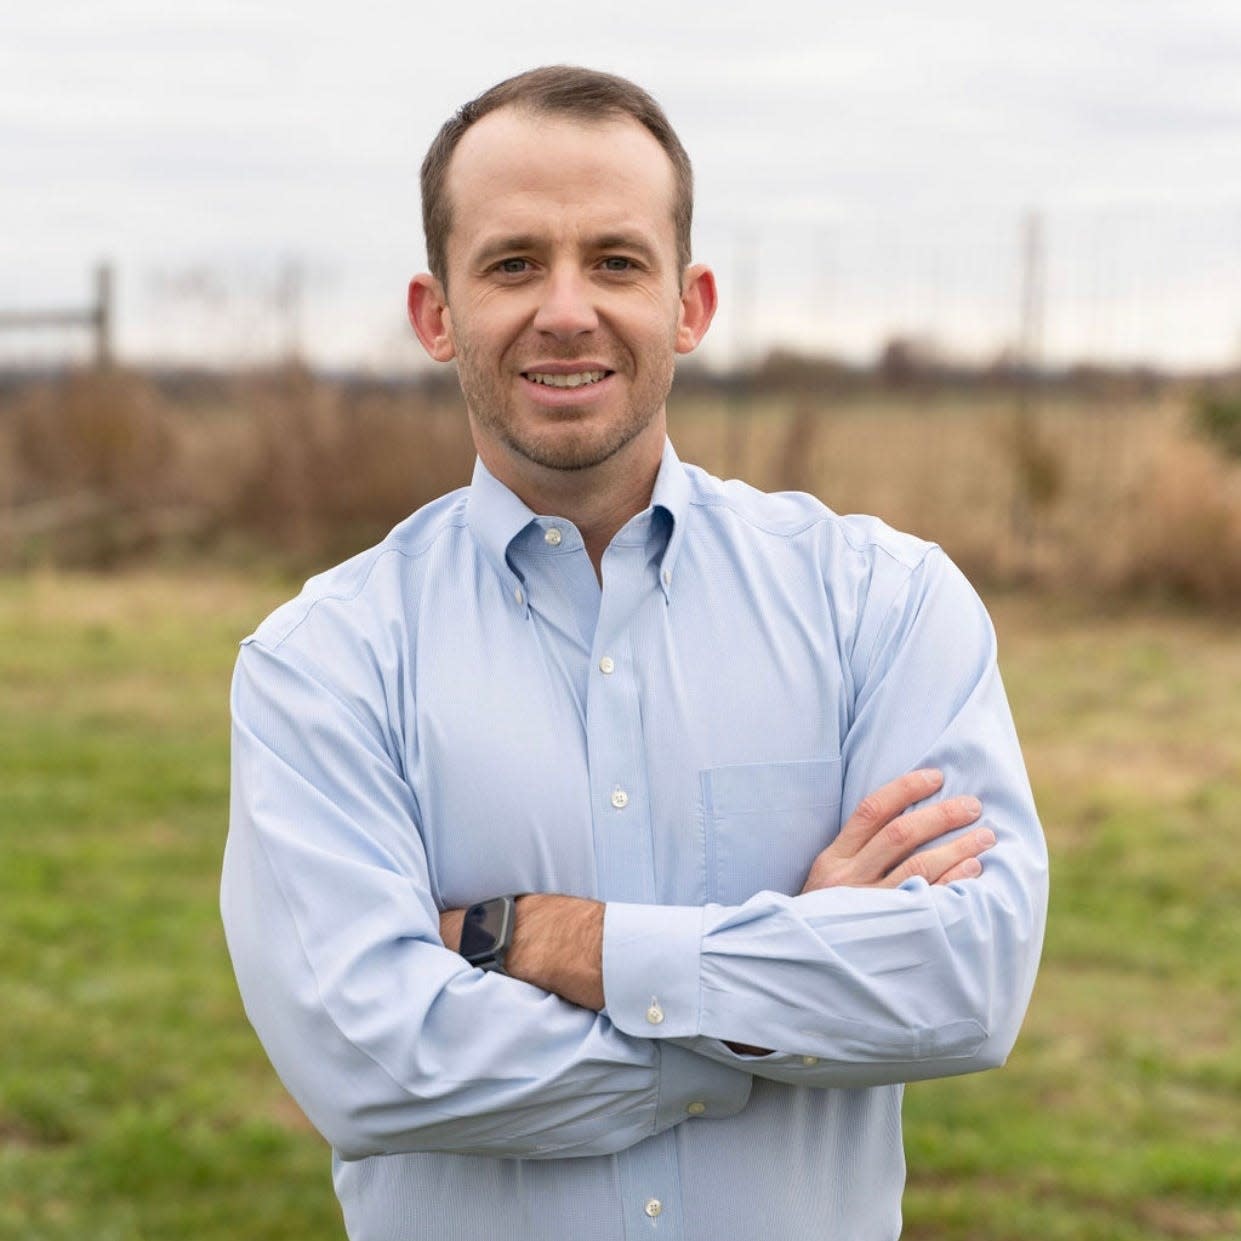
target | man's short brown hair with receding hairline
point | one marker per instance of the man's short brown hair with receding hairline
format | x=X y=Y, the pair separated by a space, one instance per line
x=563 y=90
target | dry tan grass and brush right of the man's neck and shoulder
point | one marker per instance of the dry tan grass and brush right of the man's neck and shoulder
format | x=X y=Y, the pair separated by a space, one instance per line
x=1073 y=495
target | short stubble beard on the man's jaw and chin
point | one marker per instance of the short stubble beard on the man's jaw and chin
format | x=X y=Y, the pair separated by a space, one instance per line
x=567 y=441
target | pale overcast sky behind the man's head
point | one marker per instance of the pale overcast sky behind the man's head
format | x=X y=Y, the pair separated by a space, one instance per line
x=862 y=168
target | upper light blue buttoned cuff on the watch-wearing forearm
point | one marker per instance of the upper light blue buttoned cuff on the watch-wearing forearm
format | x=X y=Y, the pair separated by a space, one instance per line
x=652 y=969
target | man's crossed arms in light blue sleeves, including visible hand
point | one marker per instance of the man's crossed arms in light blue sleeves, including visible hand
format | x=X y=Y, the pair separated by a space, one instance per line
x=895 y=962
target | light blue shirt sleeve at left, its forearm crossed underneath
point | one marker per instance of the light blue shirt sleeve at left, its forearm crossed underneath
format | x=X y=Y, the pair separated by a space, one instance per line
x=388 y=1041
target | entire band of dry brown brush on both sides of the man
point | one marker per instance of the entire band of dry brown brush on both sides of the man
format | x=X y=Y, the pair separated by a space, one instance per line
x=1086 y=493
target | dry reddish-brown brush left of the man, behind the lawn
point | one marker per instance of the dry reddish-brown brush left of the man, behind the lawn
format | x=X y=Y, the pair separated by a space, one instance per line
x=96 y=470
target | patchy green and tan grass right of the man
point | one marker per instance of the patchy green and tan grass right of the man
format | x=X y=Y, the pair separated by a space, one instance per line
x=1118 y=1116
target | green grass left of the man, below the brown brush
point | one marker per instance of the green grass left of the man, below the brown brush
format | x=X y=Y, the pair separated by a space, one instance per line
x=135 y=1103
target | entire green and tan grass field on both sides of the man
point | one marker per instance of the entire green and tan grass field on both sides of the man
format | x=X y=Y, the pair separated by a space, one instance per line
x=137 y=1106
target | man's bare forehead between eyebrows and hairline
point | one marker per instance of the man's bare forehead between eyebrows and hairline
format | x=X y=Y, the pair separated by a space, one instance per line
x=517 y=172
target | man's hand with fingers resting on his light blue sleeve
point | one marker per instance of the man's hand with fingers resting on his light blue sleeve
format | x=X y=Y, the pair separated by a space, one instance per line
x=877 y=848
